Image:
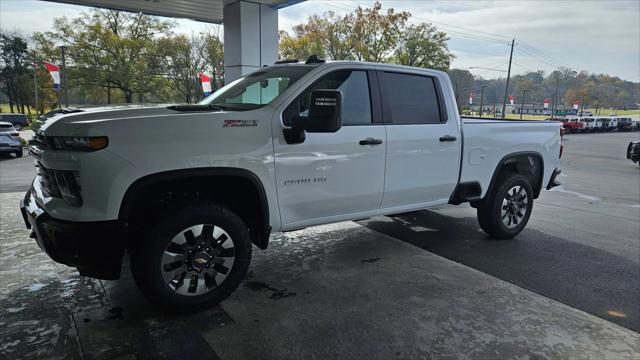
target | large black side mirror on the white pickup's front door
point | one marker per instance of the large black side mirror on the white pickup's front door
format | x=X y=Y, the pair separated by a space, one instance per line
x=325 y=112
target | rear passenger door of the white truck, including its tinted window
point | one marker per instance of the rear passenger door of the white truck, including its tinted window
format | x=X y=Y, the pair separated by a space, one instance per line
x=423 y=143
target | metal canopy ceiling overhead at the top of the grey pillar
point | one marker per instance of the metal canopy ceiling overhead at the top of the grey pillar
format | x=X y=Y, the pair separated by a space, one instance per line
x=200 y=10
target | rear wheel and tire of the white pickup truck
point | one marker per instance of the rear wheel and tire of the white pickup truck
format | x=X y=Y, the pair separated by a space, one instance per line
x=516 y=214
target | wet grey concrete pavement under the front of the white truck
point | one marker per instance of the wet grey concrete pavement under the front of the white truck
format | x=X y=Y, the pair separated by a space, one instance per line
x=337 y=291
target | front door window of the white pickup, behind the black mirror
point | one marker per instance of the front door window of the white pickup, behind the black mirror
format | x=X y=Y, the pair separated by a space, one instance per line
x=356 y=101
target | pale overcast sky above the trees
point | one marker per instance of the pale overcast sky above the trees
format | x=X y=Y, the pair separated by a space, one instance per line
x=597 y=36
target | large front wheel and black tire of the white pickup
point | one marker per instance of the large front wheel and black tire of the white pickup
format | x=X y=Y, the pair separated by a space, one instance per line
x=166 y=277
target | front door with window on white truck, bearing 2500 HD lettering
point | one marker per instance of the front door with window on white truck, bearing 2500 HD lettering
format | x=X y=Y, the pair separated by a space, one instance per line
x=330 y=175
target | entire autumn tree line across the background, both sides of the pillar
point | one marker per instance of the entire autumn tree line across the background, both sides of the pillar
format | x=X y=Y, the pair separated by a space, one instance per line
x=119 y=57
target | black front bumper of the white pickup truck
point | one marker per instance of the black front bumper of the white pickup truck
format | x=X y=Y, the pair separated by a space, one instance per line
x=96 y=248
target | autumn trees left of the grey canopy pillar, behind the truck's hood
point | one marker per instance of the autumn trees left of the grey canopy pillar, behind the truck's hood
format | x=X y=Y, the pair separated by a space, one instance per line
x=111 y=57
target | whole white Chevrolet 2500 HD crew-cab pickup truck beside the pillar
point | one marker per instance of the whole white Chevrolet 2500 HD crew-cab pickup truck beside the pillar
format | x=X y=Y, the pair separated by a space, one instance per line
x=187 y=189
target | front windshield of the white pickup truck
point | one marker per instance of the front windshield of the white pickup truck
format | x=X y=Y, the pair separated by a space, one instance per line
x=256 y=89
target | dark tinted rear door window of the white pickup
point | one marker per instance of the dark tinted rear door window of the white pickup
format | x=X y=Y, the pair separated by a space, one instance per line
x=411 y=99
